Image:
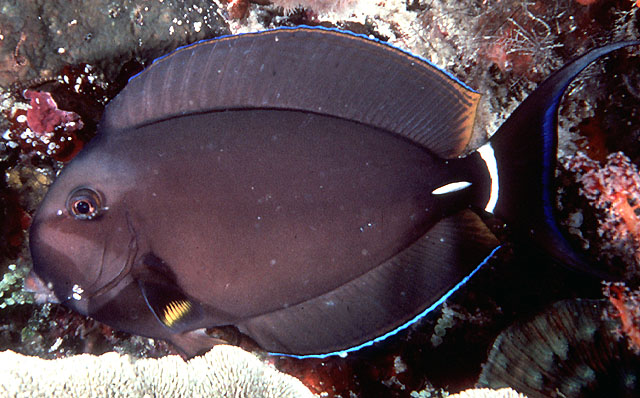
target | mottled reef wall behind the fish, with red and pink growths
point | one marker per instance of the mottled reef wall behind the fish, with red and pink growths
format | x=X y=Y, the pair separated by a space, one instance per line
x=75 y=56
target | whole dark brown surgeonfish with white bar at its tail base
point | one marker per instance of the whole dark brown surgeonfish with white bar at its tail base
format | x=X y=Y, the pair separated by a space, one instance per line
x=303 y=185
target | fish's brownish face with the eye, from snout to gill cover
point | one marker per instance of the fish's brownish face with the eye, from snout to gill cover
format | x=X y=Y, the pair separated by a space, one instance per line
x=82 y=240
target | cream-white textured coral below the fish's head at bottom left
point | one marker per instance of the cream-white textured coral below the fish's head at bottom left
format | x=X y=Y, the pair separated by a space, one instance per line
x=225 y=371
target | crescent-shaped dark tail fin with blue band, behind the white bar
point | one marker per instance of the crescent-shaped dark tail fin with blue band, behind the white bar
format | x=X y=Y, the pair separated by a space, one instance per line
x=525 y=149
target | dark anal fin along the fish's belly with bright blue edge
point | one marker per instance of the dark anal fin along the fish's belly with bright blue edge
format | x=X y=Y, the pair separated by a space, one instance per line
x=382 y=301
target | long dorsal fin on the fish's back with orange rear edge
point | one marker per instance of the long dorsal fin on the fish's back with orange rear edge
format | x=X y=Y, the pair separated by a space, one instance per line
x=308 y=69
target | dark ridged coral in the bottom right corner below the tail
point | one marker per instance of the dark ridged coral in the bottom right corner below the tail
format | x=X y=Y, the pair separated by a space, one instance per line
x=570 y=351
